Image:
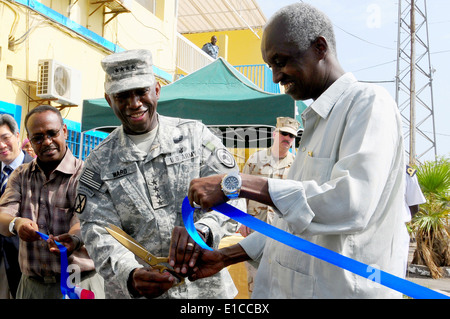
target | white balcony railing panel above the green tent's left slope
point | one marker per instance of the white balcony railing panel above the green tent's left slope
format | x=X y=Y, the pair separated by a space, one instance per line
x=190 y=58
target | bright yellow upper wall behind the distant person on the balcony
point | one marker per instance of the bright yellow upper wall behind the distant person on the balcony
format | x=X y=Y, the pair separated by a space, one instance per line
x=244 y=47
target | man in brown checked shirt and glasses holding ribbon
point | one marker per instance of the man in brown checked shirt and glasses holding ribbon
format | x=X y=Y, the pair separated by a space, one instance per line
x=40 y=196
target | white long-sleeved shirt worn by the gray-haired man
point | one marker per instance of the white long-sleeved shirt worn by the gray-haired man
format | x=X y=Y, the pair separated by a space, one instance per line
x=344 y=192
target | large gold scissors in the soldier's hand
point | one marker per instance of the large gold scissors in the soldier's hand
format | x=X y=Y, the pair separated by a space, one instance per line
x=136 y=248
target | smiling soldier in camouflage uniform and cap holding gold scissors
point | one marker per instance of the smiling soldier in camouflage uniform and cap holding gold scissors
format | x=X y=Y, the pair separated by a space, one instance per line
x=137 y=179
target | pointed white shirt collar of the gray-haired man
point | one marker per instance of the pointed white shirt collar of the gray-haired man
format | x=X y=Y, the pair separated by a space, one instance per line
x=324 y=104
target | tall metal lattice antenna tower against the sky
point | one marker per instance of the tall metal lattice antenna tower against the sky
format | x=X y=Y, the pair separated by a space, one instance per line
x=414 y=89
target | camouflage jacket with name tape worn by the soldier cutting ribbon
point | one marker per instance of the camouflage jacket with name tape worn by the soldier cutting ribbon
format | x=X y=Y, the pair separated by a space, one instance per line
x=142 y=194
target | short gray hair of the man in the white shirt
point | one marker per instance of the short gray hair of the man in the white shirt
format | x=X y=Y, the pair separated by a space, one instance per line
x=305 y=24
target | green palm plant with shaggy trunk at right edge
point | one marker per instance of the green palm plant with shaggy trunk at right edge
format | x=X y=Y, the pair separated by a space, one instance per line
x=431 y=224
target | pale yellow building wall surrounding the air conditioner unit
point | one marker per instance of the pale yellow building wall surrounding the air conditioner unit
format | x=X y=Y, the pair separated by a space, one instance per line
x=44 y=39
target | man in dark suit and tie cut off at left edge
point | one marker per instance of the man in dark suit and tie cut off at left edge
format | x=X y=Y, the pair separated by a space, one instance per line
x=11 y=156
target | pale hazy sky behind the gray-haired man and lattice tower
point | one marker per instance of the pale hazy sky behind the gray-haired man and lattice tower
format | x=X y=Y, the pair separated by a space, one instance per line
x=367 y=35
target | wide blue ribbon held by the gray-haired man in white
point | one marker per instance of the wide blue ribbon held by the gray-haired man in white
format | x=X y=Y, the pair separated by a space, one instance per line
x=399 y=284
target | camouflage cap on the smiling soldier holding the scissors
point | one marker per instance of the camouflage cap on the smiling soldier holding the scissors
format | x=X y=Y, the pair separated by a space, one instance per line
x=128 y=70
